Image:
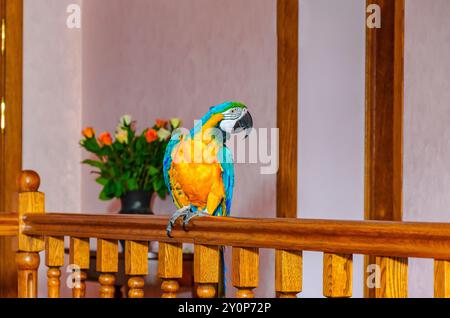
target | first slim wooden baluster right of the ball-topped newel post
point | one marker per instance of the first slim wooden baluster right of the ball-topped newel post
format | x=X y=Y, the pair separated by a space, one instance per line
x=54 y=259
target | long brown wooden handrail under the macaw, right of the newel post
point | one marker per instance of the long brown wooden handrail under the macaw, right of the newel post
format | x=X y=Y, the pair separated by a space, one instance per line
x=422 y=240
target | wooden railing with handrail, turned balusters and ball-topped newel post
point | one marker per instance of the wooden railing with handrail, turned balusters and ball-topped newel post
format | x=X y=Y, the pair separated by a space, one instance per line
x=391 y=242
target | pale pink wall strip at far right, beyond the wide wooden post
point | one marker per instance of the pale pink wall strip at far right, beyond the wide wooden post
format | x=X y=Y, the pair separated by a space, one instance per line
x=427 y=129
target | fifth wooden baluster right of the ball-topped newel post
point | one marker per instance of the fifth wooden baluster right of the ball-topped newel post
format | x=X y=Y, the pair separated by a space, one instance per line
x=170 y=268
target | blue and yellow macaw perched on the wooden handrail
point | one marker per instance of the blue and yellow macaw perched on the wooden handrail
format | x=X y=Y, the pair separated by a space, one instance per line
x=198 y=167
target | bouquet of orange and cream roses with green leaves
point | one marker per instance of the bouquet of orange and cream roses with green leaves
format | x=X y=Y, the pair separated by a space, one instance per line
x=131 y=162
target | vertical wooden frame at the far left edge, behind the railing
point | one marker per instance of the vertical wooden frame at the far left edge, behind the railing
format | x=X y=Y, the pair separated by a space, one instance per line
x=11 y=137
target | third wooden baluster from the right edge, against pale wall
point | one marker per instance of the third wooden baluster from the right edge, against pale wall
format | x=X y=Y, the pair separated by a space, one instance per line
x=337 y=275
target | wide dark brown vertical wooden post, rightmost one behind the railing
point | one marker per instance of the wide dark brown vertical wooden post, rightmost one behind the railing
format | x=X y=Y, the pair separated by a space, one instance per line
x=384 y=117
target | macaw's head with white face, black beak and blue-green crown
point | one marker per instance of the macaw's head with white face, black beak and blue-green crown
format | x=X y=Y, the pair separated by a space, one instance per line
x=236 y=118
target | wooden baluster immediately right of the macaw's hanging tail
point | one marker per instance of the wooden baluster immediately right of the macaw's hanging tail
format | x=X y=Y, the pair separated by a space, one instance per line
x=245 y=271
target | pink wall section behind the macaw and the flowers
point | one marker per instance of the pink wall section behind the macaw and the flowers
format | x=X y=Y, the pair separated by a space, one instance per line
x=162 y=58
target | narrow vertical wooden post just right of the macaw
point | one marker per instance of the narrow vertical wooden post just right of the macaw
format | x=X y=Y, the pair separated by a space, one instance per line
x=287 y=106
